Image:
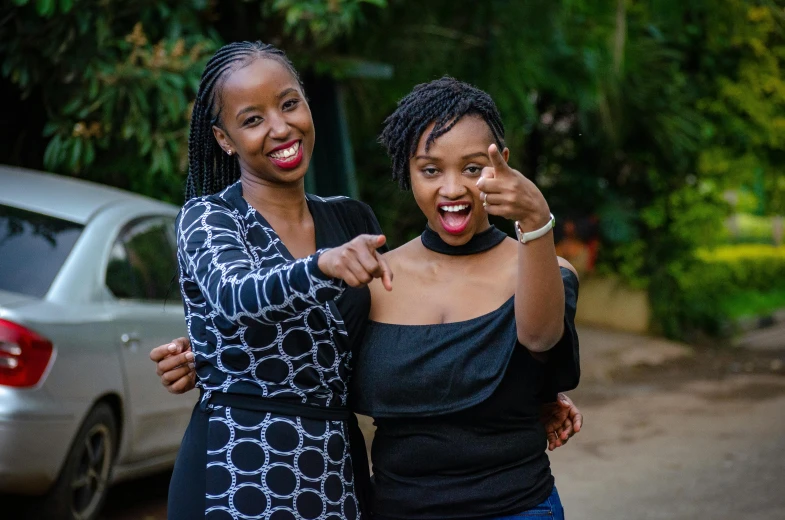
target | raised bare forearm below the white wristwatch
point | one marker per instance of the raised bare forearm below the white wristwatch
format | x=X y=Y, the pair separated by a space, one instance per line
x=539 y=296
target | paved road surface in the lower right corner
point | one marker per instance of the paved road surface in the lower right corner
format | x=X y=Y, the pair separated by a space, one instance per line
x=707 y=449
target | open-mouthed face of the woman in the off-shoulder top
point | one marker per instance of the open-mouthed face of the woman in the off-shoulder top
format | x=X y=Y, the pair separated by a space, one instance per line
x=444 y=179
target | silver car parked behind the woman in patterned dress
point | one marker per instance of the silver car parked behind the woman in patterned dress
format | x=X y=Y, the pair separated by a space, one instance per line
x=87 y=287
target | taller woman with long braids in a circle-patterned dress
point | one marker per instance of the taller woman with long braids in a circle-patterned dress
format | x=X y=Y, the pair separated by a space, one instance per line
x=262 y=267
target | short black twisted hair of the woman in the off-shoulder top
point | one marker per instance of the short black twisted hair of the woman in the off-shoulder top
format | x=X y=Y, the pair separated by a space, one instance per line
x=443 y=101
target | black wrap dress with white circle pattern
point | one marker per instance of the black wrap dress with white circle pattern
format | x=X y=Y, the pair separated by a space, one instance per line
x=271 y=329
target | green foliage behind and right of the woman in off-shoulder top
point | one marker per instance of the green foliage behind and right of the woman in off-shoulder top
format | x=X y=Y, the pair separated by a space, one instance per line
x=637 y=112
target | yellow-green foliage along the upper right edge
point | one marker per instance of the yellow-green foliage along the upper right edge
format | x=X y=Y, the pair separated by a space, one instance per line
x=747 y=108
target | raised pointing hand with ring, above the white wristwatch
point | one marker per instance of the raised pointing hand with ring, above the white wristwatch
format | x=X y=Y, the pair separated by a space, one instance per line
x=507 y=193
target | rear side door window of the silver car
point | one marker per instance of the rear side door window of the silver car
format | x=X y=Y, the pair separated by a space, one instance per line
x=142 y=263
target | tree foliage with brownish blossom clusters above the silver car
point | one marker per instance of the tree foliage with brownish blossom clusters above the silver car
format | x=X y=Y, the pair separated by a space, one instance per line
x=117 y=79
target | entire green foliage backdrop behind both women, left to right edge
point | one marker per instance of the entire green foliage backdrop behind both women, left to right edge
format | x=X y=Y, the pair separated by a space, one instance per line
x=644 y=114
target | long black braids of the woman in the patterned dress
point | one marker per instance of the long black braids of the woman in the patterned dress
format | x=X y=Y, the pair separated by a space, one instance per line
x=210 y=170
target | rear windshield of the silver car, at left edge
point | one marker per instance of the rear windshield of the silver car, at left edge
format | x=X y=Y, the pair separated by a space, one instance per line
x=33 y=247
